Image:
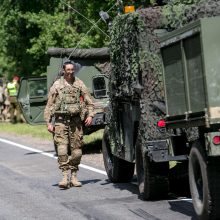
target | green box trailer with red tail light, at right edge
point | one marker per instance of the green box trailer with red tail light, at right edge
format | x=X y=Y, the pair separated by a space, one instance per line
x=191 y=81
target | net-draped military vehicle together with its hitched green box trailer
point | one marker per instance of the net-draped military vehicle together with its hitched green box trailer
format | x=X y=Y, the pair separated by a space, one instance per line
x=165 y=104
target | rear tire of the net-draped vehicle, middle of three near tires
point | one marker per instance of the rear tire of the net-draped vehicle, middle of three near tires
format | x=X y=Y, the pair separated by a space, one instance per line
x=152 y=177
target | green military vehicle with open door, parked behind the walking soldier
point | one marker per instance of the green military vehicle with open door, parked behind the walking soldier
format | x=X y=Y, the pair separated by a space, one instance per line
x=33 y=91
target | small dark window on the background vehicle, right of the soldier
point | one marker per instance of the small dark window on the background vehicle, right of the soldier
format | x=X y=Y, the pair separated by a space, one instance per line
x=99 y=86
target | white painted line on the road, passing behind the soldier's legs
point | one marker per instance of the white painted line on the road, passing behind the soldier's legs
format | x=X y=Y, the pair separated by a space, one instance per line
x=48 y=155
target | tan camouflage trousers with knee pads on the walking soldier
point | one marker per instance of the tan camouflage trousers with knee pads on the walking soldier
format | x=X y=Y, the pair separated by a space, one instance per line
x=69 y=134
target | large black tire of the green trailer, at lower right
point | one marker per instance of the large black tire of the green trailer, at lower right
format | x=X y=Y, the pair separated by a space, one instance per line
x=204 y=180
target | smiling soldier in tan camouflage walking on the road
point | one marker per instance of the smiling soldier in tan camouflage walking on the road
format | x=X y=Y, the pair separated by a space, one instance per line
x=64 y=103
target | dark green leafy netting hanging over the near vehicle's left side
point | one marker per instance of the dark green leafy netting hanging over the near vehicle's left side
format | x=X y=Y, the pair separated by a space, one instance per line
x=124 y=57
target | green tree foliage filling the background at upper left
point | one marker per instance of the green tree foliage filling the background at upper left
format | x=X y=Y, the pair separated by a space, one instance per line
x=28 y=28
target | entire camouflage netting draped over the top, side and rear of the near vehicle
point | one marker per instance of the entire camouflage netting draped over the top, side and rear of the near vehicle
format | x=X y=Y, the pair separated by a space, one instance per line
x=134 y=49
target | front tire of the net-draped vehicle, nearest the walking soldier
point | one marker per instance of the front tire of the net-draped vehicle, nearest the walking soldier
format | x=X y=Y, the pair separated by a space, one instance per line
x=118 y=170
